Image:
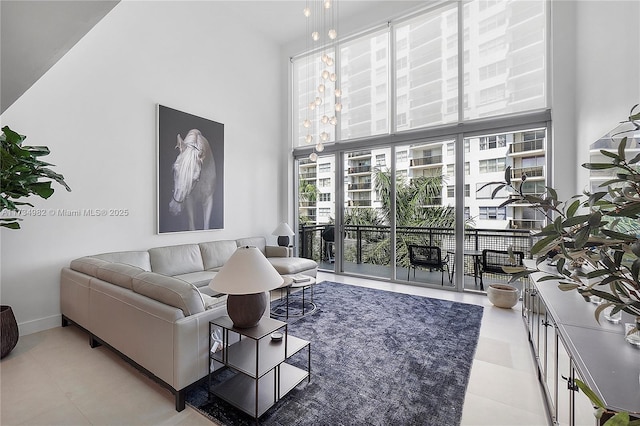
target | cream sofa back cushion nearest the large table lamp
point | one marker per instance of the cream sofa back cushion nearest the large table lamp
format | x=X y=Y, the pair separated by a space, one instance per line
x=168 y=290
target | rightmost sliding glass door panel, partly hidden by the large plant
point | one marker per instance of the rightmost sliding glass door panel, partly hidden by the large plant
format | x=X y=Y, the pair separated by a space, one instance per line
x=498 y=231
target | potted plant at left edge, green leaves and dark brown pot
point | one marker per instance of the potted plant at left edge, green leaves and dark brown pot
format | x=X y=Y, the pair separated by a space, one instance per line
x=22 y=174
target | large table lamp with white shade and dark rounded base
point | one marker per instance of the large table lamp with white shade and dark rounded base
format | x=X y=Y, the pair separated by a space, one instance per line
x=246 y=278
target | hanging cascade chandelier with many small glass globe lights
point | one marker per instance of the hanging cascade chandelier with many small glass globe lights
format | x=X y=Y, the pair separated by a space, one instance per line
x=323 y=103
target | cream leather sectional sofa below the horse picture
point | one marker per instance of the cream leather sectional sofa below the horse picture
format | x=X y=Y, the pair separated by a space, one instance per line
x=154 y=306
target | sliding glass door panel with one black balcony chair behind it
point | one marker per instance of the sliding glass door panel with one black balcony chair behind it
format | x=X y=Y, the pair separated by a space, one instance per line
x=424 y=212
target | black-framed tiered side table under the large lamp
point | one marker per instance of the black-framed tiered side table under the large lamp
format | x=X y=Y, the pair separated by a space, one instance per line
x=261 y=376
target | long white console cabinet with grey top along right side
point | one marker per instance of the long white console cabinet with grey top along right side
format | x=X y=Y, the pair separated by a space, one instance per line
x=568 y=343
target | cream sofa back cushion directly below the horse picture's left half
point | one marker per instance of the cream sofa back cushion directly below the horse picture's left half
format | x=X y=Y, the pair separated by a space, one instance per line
x=176 y=260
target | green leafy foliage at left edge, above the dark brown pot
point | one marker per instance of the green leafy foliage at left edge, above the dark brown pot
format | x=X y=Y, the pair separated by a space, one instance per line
x=23 y=174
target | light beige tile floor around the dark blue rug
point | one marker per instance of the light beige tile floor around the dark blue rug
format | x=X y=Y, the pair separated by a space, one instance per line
x=55 y=378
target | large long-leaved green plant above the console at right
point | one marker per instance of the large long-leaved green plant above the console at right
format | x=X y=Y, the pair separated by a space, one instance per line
x=593 y=239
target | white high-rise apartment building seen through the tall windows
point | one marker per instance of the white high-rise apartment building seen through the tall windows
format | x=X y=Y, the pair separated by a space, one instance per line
x=505 y=42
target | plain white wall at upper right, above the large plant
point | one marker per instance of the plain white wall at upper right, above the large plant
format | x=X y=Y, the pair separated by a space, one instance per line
x=607 y=71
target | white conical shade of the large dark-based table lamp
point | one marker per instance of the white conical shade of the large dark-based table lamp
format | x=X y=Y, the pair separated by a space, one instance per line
x=246 y=272
